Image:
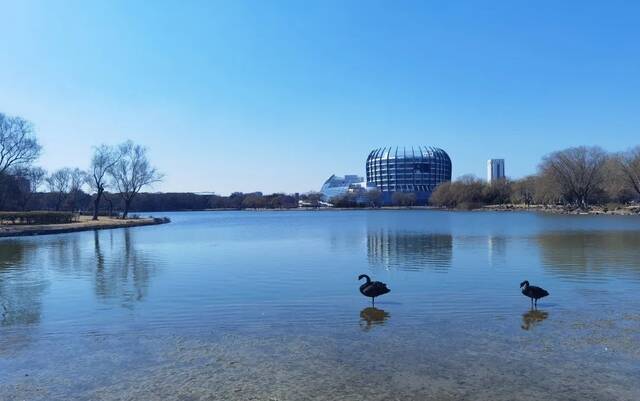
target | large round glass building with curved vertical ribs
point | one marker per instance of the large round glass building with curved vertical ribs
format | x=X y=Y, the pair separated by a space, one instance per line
x=417 y=170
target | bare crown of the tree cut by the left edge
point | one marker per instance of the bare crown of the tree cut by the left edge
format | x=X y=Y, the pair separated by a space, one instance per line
x=18 y=144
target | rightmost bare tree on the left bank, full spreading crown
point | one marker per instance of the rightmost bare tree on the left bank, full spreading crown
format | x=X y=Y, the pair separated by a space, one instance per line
x=132 y=172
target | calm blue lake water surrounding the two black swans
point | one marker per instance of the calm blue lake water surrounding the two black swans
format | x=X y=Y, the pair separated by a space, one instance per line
x=265 y=306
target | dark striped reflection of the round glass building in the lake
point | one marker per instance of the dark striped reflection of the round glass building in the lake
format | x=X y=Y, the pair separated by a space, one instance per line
x=409 y=251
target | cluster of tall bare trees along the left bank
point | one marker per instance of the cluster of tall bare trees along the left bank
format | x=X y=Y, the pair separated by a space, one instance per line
x=124 y=169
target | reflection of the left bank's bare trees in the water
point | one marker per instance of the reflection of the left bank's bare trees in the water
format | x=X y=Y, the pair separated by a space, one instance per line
x=119 y=271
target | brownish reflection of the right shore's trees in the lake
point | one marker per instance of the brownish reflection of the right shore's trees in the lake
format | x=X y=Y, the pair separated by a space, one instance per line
x=583 y=254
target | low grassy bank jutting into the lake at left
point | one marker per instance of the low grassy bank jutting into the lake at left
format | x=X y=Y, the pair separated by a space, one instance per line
x=85 y=224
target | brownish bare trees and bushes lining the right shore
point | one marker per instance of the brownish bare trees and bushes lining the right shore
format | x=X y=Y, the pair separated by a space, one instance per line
x=578 y=177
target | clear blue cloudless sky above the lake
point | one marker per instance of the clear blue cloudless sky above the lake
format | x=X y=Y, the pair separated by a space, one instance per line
x=278 y=95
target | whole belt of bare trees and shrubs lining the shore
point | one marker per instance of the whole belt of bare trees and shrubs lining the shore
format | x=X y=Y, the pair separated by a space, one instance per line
x=575 y=178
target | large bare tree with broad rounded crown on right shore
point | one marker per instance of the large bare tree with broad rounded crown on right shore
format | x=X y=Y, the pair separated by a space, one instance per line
x=578 y=171
